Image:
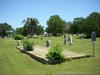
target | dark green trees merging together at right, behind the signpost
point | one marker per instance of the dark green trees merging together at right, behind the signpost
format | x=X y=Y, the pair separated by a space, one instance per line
x=87 y=25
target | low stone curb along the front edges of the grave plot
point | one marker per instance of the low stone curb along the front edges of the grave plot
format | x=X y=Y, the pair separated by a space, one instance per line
x=47 y=61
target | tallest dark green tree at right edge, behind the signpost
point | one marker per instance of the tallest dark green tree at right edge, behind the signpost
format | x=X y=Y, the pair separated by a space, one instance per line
x=92 y=23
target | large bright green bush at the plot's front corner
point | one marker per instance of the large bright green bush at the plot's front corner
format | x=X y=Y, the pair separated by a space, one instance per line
x=55 y=53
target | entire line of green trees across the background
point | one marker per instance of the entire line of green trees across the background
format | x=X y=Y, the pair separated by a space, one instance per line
x=55 y=26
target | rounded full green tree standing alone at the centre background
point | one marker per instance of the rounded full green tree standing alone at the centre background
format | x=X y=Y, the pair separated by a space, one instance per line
x=55 y=25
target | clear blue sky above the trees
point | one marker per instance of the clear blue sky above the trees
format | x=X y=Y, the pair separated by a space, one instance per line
x=14 y=12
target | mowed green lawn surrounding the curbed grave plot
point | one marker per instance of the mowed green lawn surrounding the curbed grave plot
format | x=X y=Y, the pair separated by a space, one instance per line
x=13 y=62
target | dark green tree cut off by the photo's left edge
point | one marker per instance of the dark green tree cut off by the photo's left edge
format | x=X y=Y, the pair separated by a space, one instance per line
x=5 y=29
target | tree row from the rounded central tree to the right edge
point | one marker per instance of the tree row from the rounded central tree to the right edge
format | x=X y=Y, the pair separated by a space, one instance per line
x=79 y=25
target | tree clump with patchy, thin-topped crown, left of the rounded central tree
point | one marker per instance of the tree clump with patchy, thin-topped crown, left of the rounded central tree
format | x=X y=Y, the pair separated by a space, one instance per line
x=30 y=27
